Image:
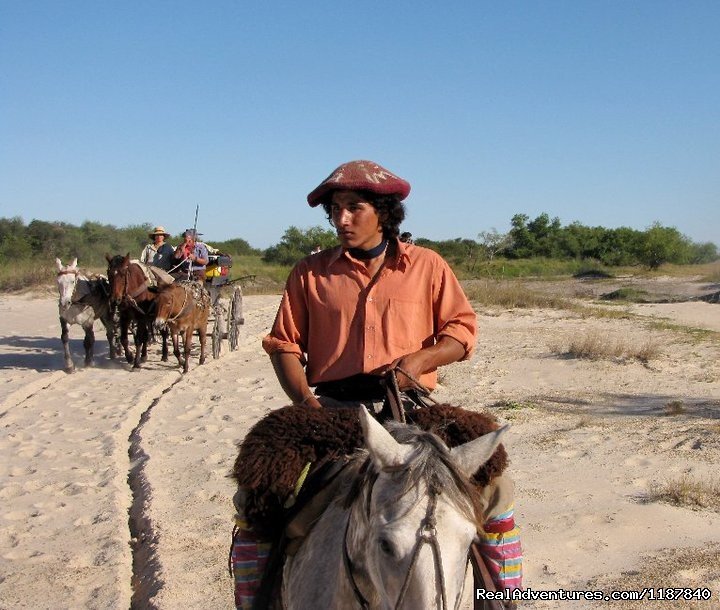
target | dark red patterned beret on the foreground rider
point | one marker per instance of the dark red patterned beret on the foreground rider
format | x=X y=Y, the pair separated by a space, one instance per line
x=360 y=176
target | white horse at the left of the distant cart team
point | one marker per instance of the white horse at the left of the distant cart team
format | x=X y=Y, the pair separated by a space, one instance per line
x=82 y=301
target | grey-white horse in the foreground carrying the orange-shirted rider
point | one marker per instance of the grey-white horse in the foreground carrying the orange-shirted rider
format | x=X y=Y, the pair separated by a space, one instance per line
x=401 y=540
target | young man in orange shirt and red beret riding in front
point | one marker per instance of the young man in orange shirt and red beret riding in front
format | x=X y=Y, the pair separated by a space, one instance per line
x=373 y=304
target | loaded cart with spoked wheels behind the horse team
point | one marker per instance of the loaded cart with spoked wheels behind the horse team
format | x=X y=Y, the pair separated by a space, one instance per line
x=225 y=319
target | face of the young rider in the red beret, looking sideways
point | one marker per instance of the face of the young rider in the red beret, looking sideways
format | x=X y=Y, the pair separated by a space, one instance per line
x=356 y=220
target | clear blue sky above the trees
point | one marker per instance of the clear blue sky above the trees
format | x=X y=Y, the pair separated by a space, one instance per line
x=127 y=112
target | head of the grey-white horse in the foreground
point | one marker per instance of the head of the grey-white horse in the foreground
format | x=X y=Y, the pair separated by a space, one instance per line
x=418 y=517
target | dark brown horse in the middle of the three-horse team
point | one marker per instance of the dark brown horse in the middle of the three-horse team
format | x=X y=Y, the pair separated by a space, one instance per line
x=136 y=303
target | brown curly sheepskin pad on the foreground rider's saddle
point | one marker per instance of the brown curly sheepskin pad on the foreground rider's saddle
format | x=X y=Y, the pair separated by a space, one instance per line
x=275 y=451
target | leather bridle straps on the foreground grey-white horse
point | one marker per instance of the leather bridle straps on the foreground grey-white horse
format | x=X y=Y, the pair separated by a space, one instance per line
x=427 y=534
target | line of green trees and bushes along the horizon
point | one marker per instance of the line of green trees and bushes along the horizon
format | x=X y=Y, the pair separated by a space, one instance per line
x=541 y=237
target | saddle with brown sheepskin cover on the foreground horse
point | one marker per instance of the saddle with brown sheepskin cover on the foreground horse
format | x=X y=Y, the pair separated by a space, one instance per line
x=315 y=444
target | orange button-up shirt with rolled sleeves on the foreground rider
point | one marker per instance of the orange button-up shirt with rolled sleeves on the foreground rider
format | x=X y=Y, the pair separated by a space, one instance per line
x=340 y=325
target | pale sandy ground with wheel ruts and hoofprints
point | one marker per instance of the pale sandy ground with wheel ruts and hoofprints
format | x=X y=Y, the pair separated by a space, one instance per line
x=590 y=440
